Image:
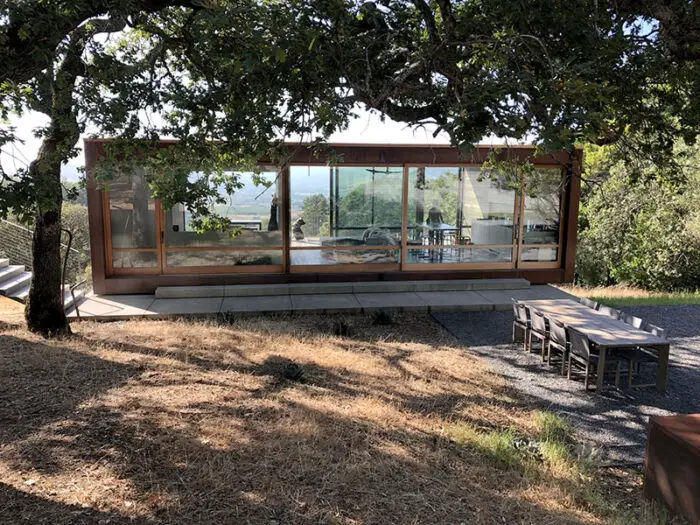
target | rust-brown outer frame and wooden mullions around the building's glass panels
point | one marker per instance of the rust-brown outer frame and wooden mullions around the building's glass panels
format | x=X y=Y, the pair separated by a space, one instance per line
x=107 y=279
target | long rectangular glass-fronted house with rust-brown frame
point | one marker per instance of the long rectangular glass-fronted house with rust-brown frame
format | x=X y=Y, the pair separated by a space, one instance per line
x=386 y=212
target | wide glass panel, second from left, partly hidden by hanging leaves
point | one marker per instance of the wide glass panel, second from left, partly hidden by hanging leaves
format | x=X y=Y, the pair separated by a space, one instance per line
x=255 y=237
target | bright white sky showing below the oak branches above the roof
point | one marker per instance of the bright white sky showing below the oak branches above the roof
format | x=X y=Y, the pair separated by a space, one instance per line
x=368 y=128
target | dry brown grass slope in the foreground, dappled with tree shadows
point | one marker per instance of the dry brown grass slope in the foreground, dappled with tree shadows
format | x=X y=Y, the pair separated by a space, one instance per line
x=193 y=422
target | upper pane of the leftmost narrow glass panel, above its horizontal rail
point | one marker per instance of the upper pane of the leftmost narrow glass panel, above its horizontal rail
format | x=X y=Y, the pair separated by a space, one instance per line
x=132 y=213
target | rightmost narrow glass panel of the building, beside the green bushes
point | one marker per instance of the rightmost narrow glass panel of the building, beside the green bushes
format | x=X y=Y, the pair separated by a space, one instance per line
x=541 y=215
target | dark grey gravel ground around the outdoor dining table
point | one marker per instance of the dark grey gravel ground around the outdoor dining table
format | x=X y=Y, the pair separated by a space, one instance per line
x=615 y=424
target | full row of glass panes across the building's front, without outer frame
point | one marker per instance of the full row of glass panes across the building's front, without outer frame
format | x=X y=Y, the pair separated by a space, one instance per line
x=349 y=215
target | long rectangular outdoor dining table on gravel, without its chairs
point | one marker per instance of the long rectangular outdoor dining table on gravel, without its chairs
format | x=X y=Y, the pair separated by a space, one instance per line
x=605 y=333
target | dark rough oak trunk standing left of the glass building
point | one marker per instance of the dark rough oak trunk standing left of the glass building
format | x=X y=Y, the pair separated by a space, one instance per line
x=44 y=313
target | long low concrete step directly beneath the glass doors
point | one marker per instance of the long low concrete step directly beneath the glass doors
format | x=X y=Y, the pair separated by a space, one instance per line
x=256 y=290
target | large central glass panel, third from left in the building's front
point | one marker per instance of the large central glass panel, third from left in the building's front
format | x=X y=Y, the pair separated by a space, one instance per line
x=345 y=215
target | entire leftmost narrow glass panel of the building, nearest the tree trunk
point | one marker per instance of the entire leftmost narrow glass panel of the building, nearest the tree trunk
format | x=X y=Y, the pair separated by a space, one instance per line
x=132 y=223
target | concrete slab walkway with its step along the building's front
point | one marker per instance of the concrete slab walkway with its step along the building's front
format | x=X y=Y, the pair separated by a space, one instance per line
x=427 y=296
